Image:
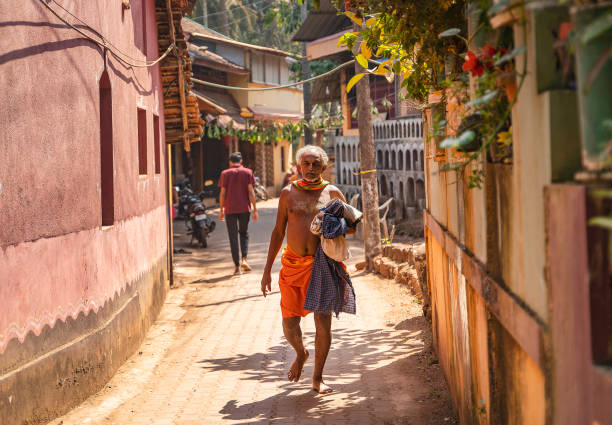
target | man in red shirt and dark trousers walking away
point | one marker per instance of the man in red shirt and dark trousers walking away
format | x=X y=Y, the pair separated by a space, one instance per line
x=235 y=202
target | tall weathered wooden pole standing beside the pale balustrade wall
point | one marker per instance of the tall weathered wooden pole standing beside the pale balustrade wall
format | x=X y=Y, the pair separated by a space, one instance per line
x=369 y=180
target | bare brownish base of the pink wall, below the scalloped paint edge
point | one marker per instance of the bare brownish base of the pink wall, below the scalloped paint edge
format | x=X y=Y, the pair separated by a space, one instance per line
x=65 y=364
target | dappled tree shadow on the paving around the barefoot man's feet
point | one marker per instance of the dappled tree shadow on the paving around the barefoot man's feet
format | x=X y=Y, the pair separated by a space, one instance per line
x=382 y=374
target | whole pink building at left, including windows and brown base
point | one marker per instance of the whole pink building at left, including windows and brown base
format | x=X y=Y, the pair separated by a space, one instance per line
x=84 y=226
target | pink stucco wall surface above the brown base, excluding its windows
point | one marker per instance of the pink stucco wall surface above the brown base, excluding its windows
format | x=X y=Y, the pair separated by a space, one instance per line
x=55 y=258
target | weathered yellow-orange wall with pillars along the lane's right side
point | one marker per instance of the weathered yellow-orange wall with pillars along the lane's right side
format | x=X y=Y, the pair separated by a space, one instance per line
x=519 y=277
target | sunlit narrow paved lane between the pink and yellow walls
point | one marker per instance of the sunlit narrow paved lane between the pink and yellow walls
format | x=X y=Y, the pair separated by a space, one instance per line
x=217 y=354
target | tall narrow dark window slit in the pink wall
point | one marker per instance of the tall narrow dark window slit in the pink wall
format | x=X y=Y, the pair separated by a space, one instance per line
x=106 y=151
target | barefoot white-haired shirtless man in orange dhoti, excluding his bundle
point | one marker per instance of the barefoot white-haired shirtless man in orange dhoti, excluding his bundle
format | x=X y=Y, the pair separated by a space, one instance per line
x=299 y=203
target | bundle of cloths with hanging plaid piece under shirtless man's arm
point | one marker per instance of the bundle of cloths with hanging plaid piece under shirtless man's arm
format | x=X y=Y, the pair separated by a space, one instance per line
x=330 y=287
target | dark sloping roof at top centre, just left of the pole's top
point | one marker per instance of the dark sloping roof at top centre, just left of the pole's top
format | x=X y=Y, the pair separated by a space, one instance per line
x=321 y=23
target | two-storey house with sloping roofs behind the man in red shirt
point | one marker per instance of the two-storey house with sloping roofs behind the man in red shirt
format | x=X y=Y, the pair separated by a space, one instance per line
x=222 y=60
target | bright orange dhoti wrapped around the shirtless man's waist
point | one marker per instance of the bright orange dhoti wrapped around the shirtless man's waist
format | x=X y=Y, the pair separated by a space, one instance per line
x=293 y=282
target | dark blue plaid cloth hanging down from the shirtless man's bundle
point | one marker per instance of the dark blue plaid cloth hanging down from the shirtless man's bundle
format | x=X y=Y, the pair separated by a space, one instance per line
x=330 y=287
